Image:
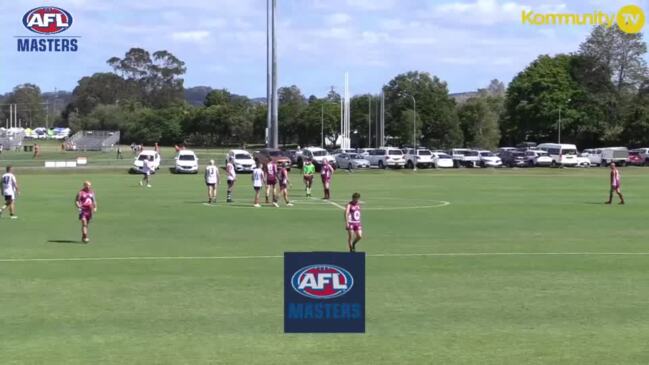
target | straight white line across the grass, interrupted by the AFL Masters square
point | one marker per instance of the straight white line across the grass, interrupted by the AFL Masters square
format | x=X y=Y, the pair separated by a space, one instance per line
x=437 y=254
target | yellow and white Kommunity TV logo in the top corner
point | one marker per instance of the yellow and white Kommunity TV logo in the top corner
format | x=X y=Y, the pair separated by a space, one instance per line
x=629 y=18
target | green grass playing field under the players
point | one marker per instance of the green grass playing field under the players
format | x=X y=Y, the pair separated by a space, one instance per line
x=466 y=309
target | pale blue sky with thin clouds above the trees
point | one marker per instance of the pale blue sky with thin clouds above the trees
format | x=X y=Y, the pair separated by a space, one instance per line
x=466 y=43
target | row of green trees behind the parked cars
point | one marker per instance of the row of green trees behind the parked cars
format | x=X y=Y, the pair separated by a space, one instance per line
x=598 y=95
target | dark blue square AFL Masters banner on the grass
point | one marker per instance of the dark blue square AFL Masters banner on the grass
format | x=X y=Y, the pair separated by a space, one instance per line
x=324 y=292
